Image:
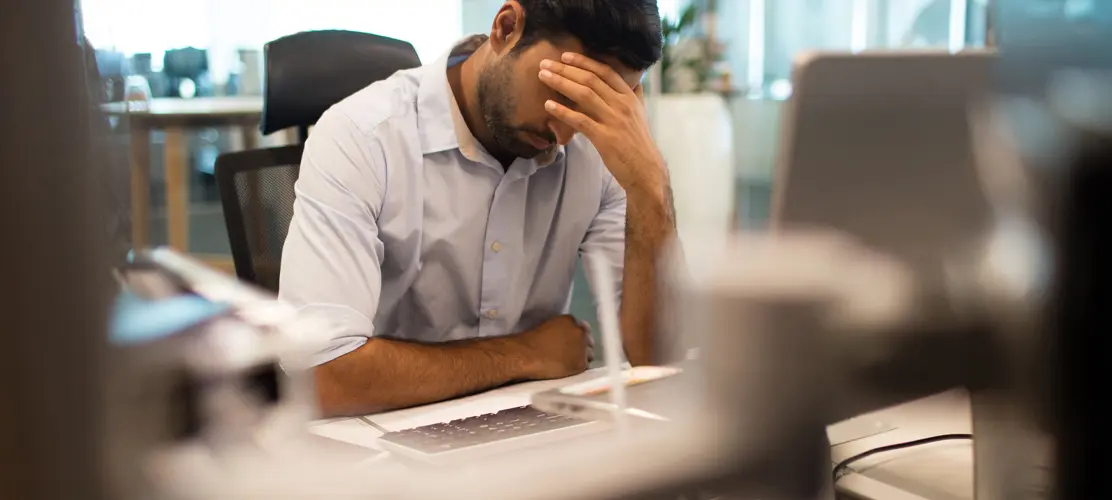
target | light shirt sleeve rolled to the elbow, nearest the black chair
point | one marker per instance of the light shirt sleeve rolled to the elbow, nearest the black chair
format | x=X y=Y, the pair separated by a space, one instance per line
x=333 y=255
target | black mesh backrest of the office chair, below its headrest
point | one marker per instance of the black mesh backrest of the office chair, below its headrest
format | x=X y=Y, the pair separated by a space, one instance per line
x=257 y=193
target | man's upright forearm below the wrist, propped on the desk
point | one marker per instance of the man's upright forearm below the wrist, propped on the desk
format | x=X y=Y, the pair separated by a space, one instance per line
x=651 y=223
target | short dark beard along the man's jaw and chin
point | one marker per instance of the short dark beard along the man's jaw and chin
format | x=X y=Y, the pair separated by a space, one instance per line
x=499 y=102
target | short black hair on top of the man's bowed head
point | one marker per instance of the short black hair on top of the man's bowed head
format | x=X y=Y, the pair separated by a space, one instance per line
x=628 y=31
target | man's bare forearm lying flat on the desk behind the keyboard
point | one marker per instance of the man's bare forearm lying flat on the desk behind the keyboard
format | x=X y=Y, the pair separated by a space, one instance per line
x=386 y=375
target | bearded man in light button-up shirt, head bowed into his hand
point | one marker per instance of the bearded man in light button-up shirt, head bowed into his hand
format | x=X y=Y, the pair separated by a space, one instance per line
x=441 y=213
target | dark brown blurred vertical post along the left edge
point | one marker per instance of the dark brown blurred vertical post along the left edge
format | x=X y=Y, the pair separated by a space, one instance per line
x=54 y=264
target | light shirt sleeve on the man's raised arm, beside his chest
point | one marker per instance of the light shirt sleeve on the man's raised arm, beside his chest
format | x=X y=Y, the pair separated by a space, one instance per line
x=607 y=235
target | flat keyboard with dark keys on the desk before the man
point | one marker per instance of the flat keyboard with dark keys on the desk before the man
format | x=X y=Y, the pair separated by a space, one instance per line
x=511 y=429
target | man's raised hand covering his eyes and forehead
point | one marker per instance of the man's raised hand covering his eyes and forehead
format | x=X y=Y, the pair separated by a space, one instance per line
x=611 y=115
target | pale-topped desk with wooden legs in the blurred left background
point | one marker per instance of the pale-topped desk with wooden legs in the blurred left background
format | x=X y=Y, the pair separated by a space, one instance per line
x=174 y=117
